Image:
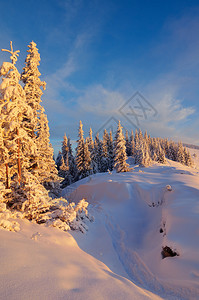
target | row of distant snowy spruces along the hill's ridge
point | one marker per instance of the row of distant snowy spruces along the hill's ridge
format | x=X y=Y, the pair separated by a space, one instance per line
x=101 y=155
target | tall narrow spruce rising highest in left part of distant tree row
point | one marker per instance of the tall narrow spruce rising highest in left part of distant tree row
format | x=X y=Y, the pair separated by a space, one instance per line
x=83 y=159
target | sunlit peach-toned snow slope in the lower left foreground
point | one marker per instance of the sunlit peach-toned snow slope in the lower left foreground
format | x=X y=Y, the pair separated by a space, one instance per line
x=45 y=263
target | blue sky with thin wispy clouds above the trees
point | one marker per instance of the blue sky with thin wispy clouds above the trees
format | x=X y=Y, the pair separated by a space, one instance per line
x=95 y=55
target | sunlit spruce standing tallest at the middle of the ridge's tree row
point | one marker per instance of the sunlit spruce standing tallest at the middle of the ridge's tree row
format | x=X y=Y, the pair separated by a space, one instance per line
x=120 y=156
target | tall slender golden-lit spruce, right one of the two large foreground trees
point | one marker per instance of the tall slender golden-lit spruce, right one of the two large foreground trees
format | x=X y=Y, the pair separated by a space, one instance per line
x=44 y=165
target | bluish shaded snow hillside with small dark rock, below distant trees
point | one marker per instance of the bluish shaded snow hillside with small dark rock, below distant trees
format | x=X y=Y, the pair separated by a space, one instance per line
x=136 y=215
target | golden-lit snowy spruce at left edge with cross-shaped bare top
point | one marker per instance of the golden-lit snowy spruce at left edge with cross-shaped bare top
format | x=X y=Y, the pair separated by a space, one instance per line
x=16 y=139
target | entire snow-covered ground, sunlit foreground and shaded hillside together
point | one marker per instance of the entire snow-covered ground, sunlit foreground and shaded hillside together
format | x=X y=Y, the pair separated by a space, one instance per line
x=120 y=255
